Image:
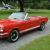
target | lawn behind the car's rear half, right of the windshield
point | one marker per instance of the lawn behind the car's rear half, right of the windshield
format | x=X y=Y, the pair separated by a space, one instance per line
x=39 y=12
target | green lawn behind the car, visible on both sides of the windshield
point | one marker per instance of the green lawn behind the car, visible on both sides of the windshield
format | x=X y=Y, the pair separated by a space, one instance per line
x=34 y=12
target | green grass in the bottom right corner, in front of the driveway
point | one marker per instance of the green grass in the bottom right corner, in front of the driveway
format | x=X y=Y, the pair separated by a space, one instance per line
x=38 y=44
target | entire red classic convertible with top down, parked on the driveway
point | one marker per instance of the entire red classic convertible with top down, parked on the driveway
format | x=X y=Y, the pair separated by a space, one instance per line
x=20 y=22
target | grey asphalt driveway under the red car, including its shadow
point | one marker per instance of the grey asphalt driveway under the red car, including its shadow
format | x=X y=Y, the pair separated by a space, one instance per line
x=24 y=39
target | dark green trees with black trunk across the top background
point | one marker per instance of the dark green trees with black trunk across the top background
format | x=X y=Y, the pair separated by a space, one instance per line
x=34 y=4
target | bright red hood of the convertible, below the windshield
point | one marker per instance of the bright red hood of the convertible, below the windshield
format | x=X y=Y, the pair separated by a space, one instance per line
x=6 y=22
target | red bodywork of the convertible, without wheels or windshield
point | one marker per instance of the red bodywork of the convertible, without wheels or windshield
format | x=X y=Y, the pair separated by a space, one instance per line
x=22 y=25
